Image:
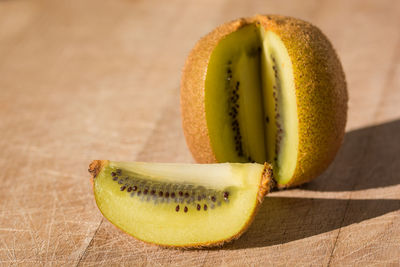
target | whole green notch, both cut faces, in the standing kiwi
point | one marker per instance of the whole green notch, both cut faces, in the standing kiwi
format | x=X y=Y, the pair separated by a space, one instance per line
x=250 y=101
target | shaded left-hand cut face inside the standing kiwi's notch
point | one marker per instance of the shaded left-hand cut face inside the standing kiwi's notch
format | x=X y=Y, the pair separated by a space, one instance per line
x=234 y=65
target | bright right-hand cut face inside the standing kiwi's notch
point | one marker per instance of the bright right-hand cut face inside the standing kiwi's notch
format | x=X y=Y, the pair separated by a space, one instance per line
x=280 y=108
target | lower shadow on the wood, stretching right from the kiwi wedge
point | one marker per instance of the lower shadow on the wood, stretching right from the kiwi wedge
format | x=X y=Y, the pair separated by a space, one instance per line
x=284 y=219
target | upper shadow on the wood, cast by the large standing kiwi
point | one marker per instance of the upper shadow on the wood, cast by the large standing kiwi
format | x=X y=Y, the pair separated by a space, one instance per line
x=369 y=158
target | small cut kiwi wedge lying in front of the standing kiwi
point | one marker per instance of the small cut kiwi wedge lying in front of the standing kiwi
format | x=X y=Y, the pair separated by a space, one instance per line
x=180 y=205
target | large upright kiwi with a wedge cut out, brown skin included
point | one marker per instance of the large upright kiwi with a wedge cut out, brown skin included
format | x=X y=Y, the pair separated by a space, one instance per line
x=265 y=89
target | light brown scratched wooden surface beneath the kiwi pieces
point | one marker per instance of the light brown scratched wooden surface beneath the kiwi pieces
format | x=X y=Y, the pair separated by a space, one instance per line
x=84 y=80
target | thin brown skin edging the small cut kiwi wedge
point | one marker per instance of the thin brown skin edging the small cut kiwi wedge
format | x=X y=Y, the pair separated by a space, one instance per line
x=266 y=184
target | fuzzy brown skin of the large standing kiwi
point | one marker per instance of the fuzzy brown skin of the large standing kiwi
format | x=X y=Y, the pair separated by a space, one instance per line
x=321 y=103
